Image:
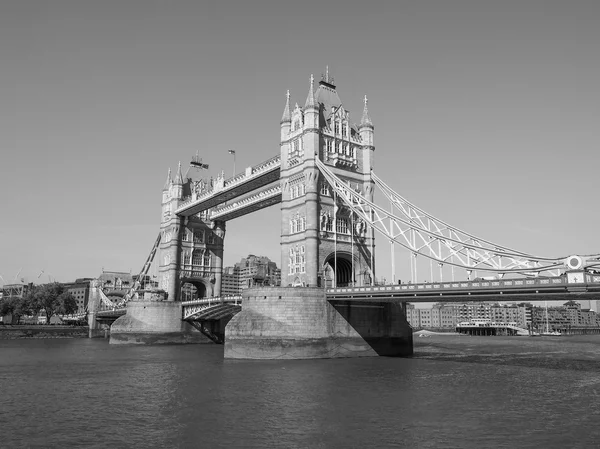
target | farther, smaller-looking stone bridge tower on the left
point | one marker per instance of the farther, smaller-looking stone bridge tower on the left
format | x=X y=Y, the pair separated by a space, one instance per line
x=191 y=248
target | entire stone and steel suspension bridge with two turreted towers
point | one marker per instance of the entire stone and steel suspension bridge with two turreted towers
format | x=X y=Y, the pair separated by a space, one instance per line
x=323 y=178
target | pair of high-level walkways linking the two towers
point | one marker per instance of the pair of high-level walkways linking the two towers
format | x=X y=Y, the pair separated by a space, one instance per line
x=263 y=176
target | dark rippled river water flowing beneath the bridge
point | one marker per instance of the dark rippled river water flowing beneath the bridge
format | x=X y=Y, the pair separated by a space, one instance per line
x=457 y=392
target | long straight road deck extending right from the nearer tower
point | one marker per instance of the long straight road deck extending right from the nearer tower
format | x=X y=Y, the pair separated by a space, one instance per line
x=563 y=288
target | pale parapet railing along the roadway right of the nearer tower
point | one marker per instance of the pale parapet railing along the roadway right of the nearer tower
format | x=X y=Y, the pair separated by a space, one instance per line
x=470 y=285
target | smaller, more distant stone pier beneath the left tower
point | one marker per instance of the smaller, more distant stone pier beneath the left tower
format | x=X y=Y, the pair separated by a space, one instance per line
x=154 y=323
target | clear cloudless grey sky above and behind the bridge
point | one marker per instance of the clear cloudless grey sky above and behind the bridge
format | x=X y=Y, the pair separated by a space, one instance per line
x=486 y=115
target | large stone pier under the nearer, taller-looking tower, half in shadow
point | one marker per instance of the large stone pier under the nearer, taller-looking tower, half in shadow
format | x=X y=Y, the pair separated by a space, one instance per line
x=300 y=323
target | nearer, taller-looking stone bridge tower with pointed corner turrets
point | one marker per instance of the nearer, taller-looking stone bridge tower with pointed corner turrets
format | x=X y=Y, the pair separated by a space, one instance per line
x=321 y=240
